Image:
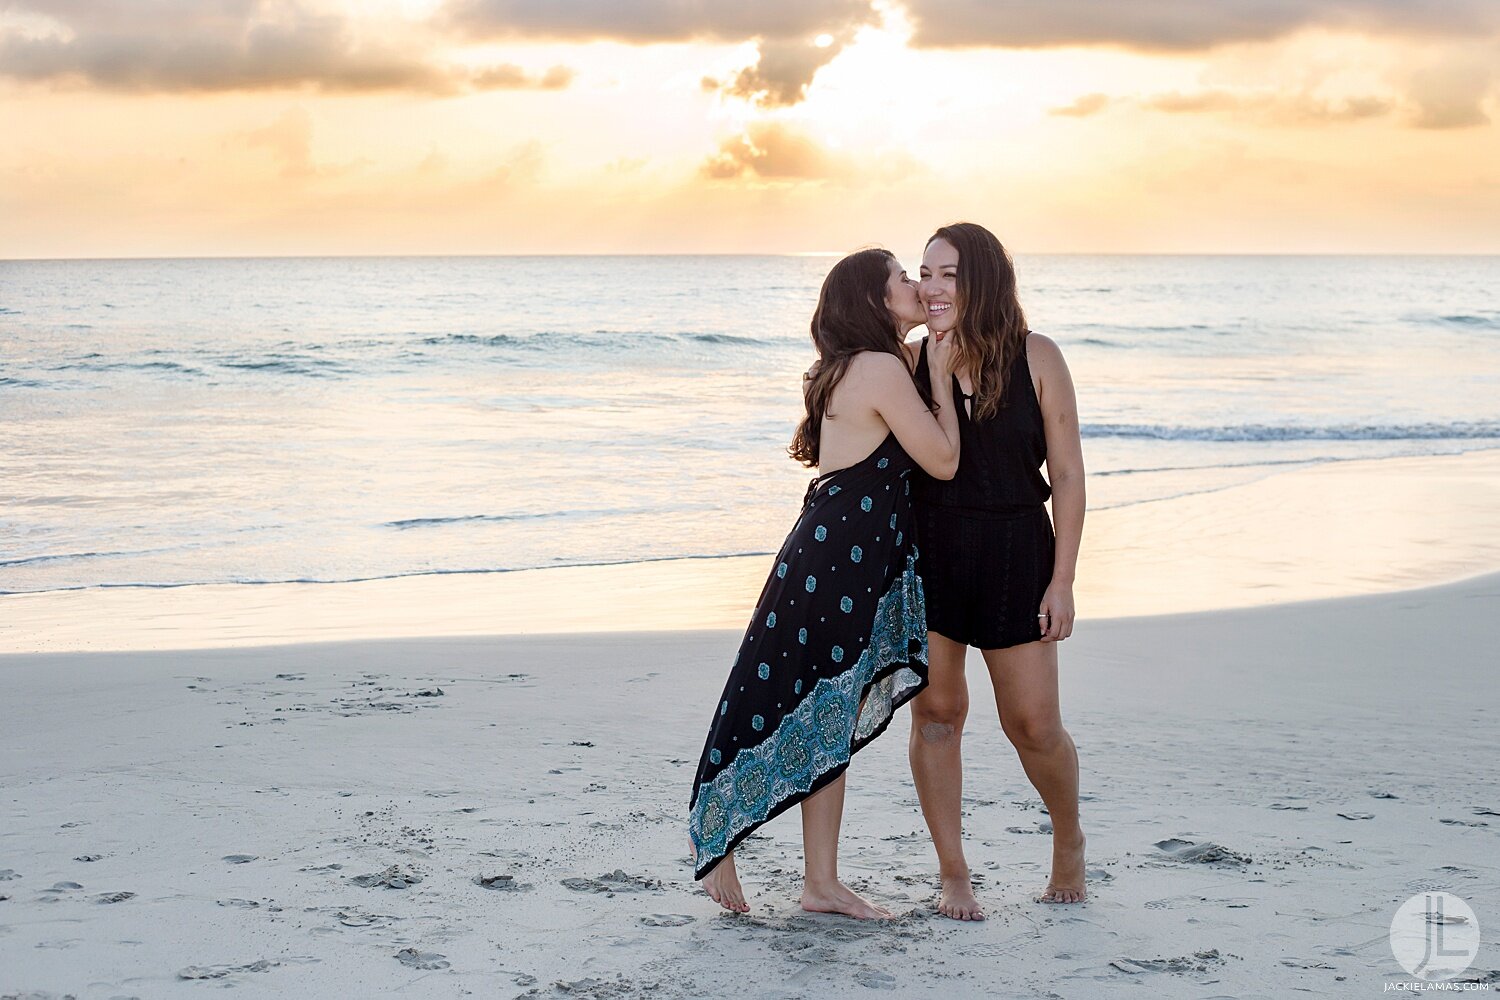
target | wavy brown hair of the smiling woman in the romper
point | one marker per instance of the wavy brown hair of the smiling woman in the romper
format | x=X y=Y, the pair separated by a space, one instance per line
x=992 y=329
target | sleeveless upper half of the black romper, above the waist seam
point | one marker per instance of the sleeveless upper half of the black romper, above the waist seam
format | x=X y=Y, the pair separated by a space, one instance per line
x=1000 y=460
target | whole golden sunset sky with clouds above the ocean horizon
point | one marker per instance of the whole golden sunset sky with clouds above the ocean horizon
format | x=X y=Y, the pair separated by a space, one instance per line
x=167 y=128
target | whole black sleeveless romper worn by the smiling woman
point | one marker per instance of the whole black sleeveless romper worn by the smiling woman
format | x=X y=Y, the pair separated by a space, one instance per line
x=986 y=537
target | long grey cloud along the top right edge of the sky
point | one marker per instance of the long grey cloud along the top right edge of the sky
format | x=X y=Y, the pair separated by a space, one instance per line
x=1181 y=25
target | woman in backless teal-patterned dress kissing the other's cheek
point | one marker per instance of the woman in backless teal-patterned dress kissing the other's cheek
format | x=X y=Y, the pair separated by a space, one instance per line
x=839 y=638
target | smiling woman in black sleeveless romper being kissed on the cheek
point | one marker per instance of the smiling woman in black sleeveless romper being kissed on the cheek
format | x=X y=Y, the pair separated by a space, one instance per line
x=995 y=576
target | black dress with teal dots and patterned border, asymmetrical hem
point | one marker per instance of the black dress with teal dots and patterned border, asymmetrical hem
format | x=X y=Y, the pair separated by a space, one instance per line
x=836 y=645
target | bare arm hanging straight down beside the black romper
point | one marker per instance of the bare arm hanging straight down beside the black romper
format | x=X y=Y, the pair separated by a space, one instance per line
x=1060 y=413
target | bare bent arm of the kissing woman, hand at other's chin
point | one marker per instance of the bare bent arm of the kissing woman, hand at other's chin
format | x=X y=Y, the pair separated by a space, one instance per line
x=884 y=385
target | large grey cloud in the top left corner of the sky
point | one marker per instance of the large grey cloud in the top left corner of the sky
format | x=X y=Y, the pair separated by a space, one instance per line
x=217 y=46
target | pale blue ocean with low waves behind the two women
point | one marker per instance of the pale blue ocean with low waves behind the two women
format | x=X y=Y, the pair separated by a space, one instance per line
x=188 y=422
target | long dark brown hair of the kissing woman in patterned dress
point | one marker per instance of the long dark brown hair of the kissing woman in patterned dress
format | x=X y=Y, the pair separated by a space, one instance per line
x=851 y=317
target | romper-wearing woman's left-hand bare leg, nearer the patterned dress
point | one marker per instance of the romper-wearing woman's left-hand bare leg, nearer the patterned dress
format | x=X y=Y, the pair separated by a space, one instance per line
x=935 y=750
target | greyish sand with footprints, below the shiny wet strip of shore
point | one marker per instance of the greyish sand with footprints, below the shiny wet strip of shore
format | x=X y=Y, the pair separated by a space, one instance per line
x=505 y=816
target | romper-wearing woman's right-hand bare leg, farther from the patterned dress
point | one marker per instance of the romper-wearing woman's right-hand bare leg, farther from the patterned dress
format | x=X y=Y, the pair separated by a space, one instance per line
x=1025 y=683
